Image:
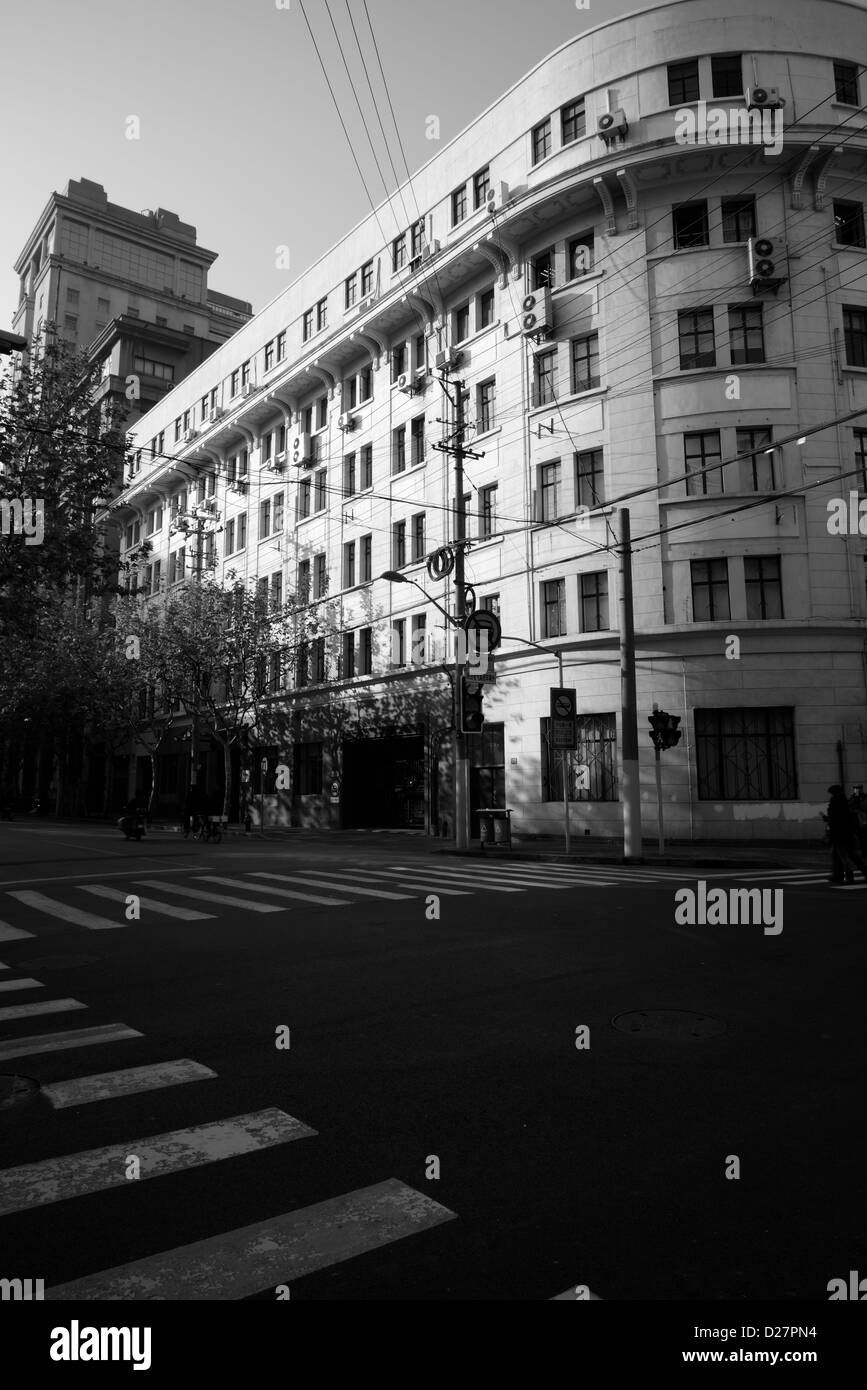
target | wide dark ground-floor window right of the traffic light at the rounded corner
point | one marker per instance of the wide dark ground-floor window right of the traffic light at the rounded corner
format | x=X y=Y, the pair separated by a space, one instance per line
x=747 y=754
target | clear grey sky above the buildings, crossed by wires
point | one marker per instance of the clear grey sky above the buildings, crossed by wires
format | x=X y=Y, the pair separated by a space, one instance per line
x=238 y=131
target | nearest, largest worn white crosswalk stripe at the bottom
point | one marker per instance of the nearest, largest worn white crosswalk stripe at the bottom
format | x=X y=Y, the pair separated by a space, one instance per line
x=276 y=1252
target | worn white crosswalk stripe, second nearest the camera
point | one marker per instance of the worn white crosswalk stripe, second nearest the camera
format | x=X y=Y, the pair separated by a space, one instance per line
x=97 y=1170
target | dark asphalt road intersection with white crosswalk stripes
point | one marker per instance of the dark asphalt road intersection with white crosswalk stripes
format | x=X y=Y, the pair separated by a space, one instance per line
x=413 y=1039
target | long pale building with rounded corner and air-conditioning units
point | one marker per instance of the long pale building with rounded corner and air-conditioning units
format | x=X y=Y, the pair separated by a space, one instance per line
x=625 y=341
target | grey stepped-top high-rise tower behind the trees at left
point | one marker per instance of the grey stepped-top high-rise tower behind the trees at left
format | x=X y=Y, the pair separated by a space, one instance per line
x=129 y=288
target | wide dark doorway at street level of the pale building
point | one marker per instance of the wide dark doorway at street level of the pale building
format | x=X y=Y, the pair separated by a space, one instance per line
x=384 y=783
